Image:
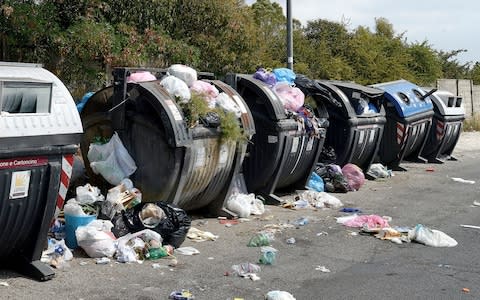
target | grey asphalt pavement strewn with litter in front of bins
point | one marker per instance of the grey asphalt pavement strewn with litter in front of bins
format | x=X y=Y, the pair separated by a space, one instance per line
x=327 y=261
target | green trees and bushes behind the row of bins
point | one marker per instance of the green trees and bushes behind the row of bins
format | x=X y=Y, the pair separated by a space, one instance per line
x=81 y=40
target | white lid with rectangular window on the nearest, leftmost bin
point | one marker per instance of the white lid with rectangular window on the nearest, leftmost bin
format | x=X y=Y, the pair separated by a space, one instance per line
x=34 y=102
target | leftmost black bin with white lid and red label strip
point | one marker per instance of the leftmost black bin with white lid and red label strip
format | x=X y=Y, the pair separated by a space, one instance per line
x=40 y=129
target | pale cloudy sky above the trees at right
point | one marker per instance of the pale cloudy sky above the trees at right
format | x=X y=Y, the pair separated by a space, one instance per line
x=445 y=25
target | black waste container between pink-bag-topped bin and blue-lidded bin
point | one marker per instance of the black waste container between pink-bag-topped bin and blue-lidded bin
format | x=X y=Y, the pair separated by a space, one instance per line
x=356 y=118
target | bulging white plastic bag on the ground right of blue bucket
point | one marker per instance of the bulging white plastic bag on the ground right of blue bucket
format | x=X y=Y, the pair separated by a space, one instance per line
x=96 y=239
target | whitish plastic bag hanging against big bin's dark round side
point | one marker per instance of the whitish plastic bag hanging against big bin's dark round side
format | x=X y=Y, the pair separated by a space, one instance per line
x=111 y=160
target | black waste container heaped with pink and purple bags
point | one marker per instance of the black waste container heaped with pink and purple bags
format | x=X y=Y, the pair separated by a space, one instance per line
x=282 y=153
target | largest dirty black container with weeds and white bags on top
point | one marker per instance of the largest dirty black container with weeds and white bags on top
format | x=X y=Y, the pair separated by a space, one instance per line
x=191 y=167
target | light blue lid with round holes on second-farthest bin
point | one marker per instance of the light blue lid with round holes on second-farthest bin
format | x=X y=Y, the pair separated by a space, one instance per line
x=406 y=97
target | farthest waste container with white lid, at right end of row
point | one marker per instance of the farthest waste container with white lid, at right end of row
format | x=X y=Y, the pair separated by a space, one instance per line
x=448 y=117
